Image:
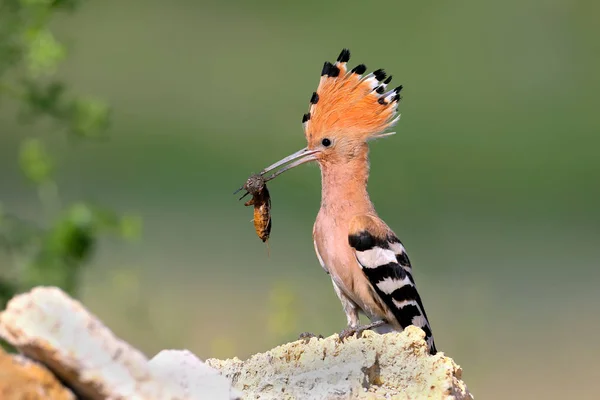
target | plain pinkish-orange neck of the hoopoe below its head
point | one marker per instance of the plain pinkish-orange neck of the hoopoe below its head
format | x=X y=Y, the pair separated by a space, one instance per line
x=344 y=186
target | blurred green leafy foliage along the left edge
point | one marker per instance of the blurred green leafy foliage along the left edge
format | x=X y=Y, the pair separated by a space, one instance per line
x=52 y=252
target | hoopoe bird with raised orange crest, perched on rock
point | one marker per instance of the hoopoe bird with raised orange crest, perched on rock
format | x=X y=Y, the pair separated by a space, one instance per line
x=368 y=265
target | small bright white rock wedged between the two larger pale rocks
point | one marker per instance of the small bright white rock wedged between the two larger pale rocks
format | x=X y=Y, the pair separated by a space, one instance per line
x=198 y=380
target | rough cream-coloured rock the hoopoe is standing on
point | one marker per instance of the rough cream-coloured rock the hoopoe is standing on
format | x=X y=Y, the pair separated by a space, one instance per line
x=390 y=366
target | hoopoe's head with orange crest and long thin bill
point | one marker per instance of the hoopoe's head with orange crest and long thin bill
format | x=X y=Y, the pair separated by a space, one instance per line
x=347 y=110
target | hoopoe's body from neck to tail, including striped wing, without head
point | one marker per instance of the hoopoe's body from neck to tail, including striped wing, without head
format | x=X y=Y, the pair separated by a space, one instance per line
x=347 y=212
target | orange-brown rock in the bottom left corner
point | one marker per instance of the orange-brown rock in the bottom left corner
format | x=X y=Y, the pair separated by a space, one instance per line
x=21 y=378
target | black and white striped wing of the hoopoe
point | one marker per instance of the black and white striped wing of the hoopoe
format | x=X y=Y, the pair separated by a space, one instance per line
x=386 y=265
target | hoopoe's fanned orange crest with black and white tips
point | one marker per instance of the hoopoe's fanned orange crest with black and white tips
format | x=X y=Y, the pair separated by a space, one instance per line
x=351 y=103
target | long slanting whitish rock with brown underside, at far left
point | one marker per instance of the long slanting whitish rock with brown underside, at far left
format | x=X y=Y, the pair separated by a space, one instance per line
x=48 y=326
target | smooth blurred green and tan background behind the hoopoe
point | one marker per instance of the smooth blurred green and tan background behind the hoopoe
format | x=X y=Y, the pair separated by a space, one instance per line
x=492 y=182
